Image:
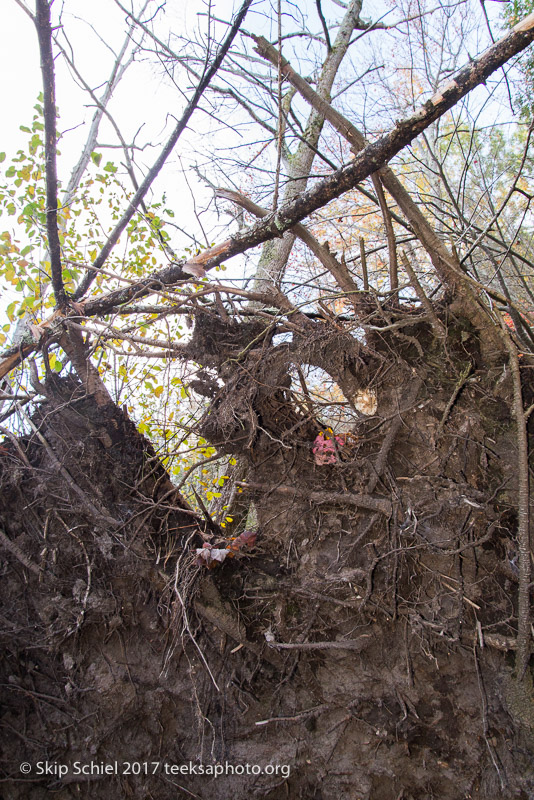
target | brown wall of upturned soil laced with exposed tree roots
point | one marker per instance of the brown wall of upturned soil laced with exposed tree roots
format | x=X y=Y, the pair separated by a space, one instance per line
x=365 y=644
